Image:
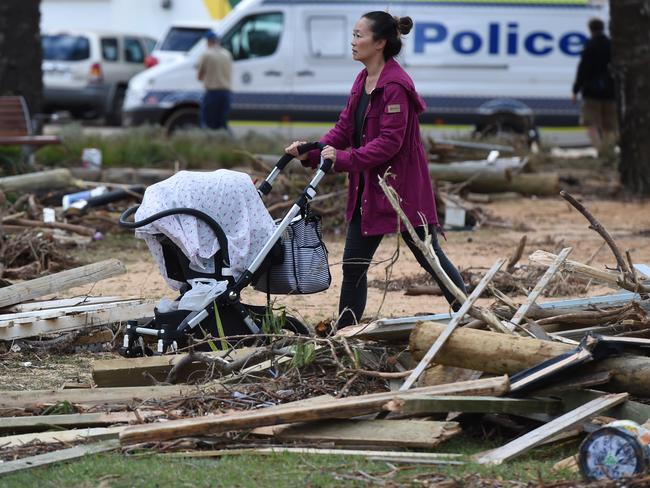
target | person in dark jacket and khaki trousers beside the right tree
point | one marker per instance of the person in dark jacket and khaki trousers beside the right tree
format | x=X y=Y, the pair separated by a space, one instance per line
x=594 y=81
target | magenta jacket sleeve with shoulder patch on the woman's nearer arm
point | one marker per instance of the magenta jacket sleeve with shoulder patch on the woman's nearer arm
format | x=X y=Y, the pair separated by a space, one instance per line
x=392 y=127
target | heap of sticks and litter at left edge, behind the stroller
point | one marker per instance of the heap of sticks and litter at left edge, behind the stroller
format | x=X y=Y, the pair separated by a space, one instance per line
x=50 y=217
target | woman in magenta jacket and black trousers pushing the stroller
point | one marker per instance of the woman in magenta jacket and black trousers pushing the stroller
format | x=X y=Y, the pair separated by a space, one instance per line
x=378 y=131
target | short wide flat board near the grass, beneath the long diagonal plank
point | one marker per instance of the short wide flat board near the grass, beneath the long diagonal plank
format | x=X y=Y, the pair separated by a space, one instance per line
x=388 y=433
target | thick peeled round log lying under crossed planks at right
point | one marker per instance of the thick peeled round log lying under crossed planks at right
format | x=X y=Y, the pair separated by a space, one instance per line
x=496 y=353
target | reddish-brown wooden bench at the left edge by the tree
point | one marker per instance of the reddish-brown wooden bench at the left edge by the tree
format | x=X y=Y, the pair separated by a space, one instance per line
x=16 y=127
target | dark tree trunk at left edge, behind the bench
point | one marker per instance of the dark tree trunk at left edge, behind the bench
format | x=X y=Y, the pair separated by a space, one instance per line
x=20 y=51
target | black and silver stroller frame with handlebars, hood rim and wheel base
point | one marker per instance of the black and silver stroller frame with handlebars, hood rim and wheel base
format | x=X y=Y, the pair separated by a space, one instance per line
x=169 y=337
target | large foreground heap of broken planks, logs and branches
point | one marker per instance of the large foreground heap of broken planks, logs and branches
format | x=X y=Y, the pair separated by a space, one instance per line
x=390 y=390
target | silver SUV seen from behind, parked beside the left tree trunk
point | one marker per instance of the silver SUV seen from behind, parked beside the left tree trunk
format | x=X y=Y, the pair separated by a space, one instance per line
x=86 y=73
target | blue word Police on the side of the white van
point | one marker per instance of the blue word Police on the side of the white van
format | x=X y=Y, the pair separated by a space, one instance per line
x=498 y=40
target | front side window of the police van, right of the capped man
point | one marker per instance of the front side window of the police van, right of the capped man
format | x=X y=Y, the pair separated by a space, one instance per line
x=255 y=36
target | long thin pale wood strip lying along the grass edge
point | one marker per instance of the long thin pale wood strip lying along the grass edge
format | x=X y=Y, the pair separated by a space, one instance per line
x=394 y=456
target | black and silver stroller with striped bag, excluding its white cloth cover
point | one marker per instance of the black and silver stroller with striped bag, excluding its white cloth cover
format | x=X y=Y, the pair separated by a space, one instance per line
x=293 y=259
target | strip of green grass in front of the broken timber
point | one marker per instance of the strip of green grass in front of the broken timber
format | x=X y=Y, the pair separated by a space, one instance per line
x=284 y=470
